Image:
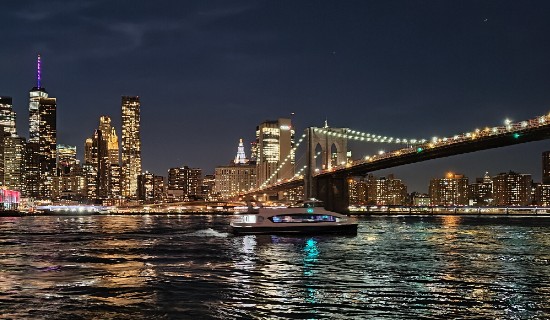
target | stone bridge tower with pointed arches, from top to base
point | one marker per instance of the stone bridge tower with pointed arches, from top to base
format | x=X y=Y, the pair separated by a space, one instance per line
x=333 y=145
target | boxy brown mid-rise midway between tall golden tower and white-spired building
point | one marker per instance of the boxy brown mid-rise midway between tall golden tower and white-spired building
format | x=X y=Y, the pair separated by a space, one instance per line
x=184 y=183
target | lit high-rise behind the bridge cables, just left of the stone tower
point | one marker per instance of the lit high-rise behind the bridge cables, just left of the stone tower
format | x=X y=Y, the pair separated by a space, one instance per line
x=274 y=144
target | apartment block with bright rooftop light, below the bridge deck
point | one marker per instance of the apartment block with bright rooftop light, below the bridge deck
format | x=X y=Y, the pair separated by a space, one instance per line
x=449 y=191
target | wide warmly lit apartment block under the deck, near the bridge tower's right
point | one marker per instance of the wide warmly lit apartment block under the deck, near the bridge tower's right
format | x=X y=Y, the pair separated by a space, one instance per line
x=386 y=191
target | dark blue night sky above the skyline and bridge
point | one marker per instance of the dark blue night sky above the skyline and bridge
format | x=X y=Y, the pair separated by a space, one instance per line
x=208 y=72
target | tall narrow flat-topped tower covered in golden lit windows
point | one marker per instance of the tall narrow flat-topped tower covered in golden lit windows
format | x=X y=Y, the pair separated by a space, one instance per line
x=131 y=146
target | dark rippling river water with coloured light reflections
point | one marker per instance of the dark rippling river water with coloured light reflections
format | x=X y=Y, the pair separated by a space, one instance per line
x=190 y=267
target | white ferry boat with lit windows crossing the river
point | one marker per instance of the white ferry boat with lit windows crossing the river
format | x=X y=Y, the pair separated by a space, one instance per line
x=308 y=217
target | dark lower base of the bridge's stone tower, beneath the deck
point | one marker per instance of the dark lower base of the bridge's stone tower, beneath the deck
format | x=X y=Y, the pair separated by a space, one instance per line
x=333 y=191
